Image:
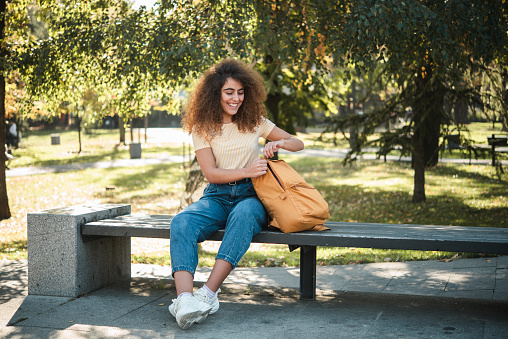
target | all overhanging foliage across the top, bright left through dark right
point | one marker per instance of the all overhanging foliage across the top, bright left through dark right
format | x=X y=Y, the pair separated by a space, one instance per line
x=130 y=56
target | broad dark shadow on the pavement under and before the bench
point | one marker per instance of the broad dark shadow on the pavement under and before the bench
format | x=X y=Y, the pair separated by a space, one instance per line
x=137 y=308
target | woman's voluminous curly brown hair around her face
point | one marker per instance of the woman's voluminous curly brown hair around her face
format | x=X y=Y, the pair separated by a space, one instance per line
x=204 y=111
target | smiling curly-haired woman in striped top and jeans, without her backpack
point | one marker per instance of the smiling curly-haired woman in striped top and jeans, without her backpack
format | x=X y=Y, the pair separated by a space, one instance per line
x=226 y=118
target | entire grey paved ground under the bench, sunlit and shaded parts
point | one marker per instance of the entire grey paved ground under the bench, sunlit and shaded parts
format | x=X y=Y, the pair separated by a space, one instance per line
x=464 y=298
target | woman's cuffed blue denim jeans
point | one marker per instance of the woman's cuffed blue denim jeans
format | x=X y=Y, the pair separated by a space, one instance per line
x=235 y=208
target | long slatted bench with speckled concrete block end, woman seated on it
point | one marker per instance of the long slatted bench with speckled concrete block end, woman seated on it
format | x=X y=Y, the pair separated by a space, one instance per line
x=78 y=249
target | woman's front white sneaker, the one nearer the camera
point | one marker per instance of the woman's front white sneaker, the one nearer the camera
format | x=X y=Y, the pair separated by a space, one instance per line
x=187 y=310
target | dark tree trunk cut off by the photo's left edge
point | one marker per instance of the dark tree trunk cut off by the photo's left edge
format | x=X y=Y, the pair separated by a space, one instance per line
x=5 y=212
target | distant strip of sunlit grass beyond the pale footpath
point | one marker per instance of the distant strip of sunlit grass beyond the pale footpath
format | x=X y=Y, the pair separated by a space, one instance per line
x=103 y=145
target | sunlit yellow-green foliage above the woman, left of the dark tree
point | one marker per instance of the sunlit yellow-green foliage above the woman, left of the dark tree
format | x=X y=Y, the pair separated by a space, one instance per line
x=129 y=57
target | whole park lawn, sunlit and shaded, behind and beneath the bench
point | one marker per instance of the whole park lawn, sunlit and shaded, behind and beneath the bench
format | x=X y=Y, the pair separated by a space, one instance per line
x=369 y=191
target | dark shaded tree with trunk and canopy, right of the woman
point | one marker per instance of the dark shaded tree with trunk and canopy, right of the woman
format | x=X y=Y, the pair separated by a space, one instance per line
x=427 y=46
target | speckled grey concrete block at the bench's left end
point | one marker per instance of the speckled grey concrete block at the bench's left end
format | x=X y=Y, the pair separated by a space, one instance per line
x=61 y=263
